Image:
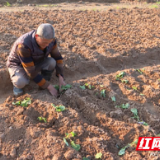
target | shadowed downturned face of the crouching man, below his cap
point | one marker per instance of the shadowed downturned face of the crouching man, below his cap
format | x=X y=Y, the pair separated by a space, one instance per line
x=42 y=42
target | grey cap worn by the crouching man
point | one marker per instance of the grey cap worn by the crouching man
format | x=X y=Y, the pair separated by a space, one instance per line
x=46 y=31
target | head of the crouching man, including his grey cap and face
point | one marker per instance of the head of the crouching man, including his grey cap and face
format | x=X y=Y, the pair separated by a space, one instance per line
x=45 y=35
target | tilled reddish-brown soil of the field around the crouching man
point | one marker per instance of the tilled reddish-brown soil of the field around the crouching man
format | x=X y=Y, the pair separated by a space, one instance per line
x=97 y=45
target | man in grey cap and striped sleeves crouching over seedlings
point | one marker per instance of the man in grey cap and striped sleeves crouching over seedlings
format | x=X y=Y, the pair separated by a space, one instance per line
x=29 y=56
